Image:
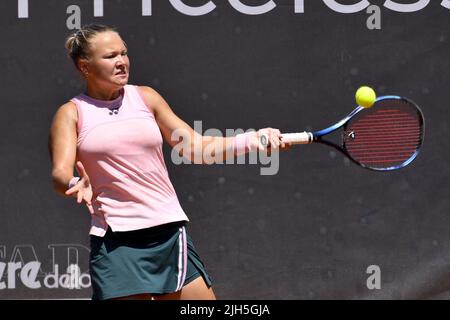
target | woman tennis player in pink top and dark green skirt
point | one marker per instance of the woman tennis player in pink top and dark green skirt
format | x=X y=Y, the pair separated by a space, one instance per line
x=112 y=134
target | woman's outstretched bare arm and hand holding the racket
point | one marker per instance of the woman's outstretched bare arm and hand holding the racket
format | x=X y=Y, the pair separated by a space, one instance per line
x=190 y=144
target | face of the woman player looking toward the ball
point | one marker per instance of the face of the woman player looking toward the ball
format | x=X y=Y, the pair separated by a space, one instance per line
x=108 y=62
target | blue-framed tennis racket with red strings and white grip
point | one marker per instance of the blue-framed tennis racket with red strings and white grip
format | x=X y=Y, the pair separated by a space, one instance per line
x=387 y=136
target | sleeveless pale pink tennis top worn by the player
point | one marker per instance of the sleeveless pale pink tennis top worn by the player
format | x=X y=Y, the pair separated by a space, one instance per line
x=120 y=146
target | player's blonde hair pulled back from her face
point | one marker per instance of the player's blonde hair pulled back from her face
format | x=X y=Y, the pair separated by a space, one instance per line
x=77 y=44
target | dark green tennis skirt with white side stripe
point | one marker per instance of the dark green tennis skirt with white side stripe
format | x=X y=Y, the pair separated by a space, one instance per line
x=155 y=260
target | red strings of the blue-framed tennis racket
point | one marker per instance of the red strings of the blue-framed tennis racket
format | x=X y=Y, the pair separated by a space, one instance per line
x=384 y=137
